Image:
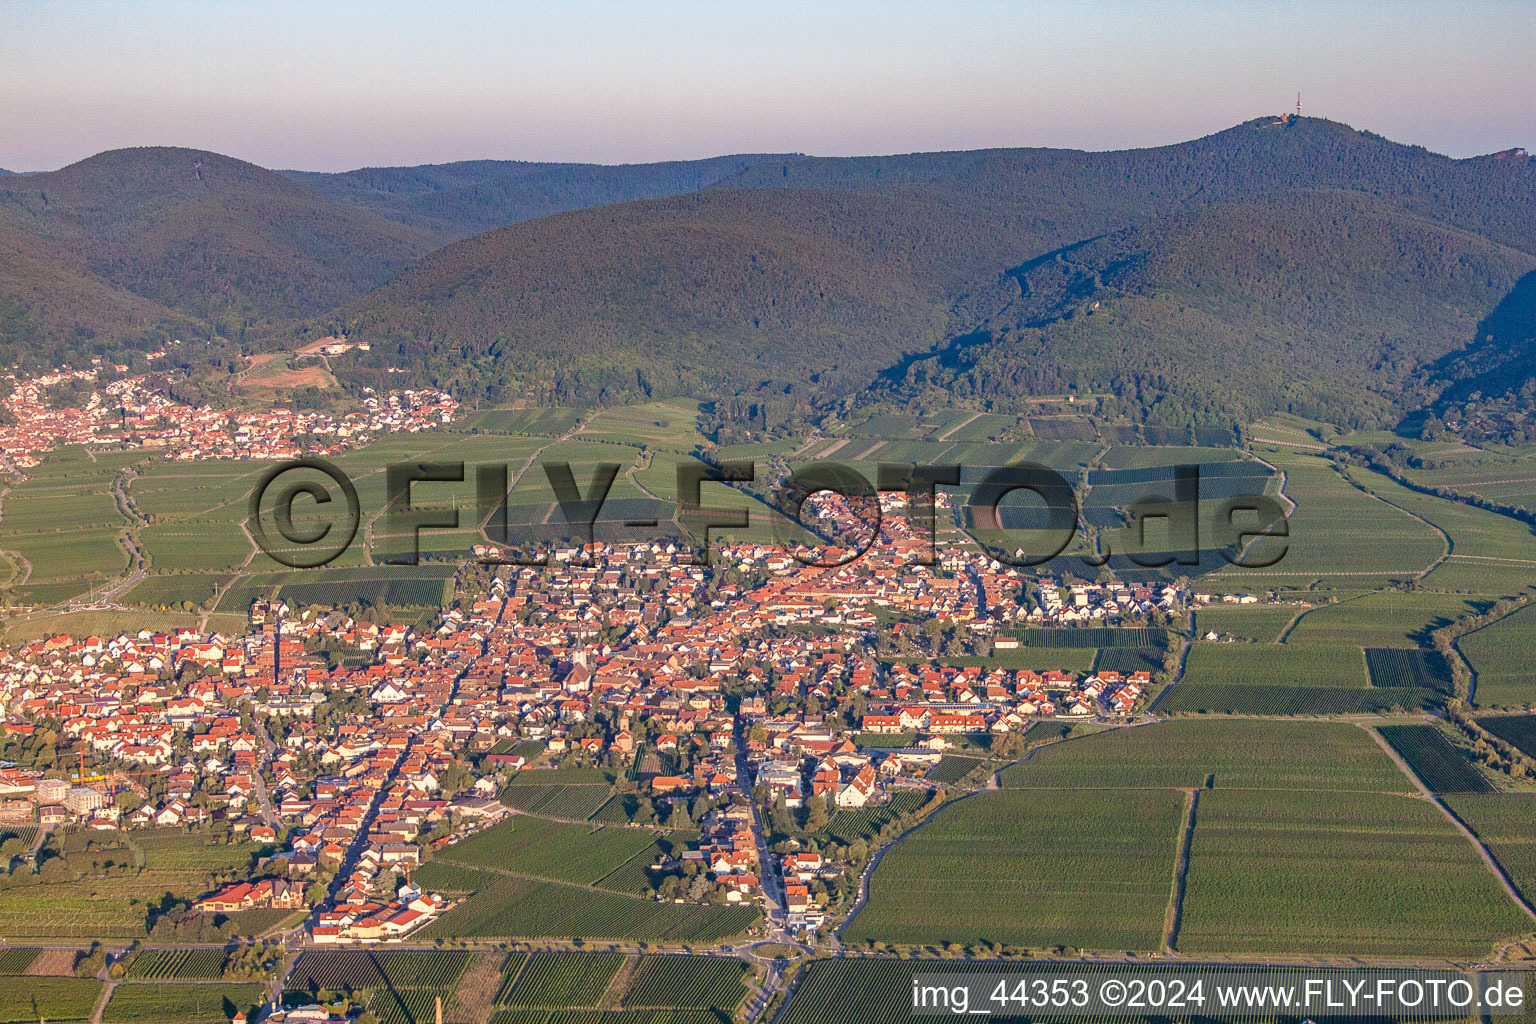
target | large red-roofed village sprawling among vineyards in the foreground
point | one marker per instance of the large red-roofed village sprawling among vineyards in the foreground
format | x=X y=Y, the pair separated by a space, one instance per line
x=758 y=687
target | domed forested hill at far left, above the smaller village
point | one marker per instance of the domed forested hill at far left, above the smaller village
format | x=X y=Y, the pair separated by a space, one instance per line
x=208 y=236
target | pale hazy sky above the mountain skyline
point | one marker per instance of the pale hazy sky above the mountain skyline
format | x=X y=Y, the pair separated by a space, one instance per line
x=331 y=87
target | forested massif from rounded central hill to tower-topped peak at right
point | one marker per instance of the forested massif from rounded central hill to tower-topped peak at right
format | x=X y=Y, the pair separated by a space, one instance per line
x=1273 y=265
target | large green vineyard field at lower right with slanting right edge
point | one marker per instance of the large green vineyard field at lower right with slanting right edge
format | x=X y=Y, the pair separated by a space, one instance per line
x=1337 y=874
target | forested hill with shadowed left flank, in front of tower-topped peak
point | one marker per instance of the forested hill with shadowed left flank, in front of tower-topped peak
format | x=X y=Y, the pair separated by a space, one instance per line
x=1323 y=303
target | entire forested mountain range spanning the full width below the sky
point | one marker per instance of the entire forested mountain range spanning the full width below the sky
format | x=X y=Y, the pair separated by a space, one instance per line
x=1282 y=265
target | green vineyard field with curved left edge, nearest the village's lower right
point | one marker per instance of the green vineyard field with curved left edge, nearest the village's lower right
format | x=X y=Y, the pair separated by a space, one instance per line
x=1044 y=868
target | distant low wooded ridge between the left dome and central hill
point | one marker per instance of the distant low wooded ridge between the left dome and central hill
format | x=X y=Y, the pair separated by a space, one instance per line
x=463 y=199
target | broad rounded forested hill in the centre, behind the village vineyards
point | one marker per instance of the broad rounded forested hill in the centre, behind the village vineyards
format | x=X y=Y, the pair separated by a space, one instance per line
x=701 y=294
